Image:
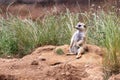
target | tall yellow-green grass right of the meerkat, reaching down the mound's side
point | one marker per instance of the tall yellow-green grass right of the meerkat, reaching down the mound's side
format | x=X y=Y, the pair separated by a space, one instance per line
x=104 y=30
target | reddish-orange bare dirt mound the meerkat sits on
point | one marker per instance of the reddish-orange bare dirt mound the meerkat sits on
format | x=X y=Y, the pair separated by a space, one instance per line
x=45 y=64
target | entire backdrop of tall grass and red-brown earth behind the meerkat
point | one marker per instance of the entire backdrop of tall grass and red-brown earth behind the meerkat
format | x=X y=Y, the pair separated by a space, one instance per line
x=23 y=29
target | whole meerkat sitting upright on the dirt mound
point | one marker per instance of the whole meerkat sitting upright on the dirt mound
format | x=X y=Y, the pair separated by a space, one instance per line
x=78 y=40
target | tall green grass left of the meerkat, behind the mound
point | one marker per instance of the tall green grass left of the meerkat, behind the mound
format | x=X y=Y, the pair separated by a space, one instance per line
x=20 y=37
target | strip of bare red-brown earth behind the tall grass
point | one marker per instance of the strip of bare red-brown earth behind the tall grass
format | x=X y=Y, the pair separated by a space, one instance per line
x=37 y=11
